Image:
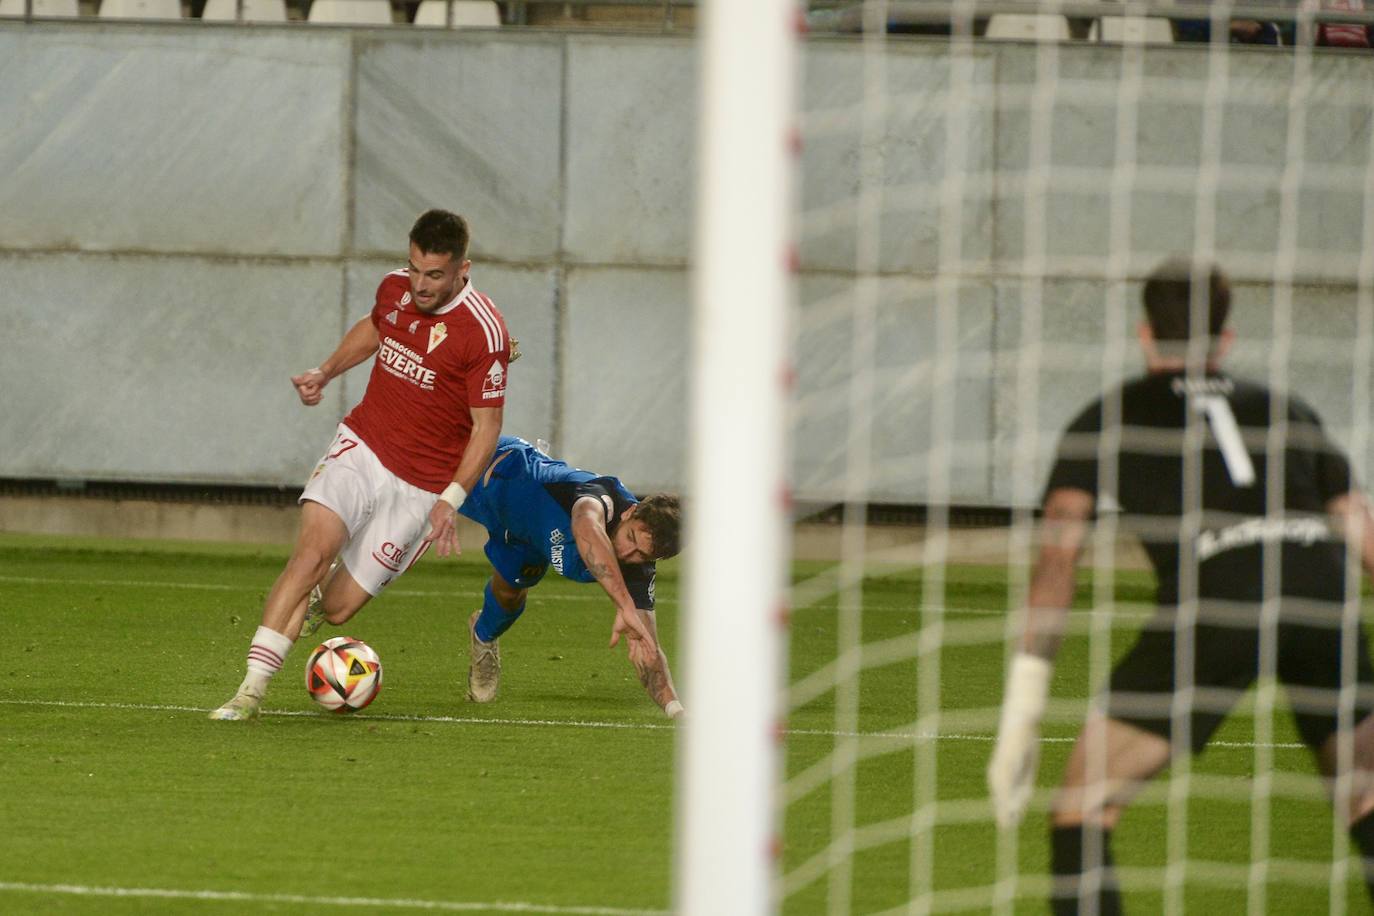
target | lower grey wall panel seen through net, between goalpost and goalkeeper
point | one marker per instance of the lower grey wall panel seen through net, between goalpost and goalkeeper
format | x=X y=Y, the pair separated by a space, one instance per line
x=920 y=365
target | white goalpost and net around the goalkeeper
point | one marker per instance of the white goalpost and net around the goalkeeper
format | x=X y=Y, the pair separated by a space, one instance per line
x=976 y=198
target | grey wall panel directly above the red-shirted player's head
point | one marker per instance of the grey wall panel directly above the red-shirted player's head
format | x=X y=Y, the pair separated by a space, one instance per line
x=487 y=146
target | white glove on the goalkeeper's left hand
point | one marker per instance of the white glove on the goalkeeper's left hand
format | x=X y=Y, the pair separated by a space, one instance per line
x=1017 y=753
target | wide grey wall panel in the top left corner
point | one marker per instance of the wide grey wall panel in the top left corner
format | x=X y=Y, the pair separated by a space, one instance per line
x=168 y=141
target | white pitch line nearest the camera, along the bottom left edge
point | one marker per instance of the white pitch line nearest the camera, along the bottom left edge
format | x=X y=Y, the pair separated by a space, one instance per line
x=83 y=891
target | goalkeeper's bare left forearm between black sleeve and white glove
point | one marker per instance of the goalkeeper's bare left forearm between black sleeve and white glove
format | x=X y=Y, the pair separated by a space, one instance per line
x=1063 y=534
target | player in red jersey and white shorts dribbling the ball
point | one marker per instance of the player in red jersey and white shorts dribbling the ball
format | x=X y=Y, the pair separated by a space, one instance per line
x=405 y=458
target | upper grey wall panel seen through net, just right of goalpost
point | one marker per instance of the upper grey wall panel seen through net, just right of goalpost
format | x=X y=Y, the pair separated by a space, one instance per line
x=877 y=172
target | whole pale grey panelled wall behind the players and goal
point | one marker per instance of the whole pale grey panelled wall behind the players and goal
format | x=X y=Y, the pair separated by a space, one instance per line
x=190 y=215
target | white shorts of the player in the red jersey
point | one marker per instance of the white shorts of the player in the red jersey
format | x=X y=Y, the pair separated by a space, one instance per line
x=387 y=517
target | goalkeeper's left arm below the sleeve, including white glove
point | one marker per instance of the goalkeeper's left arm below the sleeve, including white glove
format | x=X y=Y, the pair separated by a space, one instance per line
x=1017 y=753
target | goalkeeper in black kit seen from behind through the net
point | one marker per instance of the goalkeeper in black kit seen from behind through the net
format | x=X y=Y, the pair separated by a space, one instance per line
x=1239 y=498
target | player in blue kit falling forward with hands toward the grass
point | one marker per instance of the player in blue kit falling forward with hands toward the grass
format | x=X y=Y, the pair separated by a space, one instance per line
x=541 y=513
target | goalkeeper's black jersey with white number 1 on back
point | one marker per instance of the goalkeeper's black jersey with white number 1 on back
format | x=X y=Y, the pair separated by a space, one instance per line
x=1153 y=466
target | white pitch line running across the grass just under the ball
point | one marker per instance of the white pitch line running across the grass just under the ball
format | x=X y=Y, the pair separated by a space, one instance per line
x=549 y=723
